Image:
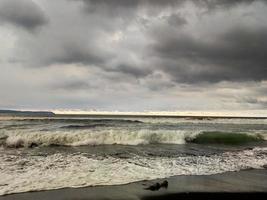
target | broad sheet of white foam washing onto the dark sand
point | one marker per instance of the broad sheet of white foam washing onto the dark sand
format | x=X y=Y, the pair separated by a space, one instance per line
x=31 y=173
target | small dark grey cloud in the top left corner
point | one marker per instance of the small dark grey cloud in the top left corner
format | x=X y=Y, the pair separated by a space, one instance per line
x=22 y=13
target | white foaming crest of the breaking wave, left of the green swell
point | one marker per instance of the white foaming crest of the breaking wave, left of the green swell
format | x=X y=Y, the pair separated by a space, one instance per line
x=86 y=137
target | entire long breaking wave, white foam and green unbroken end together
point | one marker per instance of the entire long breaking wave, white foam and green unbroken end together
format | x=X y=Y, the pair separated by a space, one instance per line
x=124 y=137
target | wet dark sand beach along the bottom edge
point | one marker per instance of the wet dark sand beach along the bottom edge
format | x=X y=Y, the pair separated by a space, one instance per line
x=243 y=183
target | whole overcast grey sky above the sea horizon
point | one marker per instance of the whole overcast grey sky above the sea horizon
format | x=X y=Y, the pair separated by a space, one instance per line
x=133 y=55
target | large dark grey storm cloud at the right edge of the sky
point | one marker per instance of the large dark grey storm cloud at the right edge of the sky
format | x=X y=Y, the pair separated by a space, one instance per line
x=238 y=54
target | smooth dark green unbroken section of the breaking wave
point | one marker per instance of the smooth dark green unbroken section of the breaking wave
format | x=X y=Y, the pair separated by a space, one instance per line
x=224 y=138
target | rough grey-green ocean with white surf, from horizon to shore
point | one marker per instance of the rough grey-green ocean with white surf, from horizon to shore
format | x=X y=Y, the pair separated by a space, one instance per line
x=75 y=151
